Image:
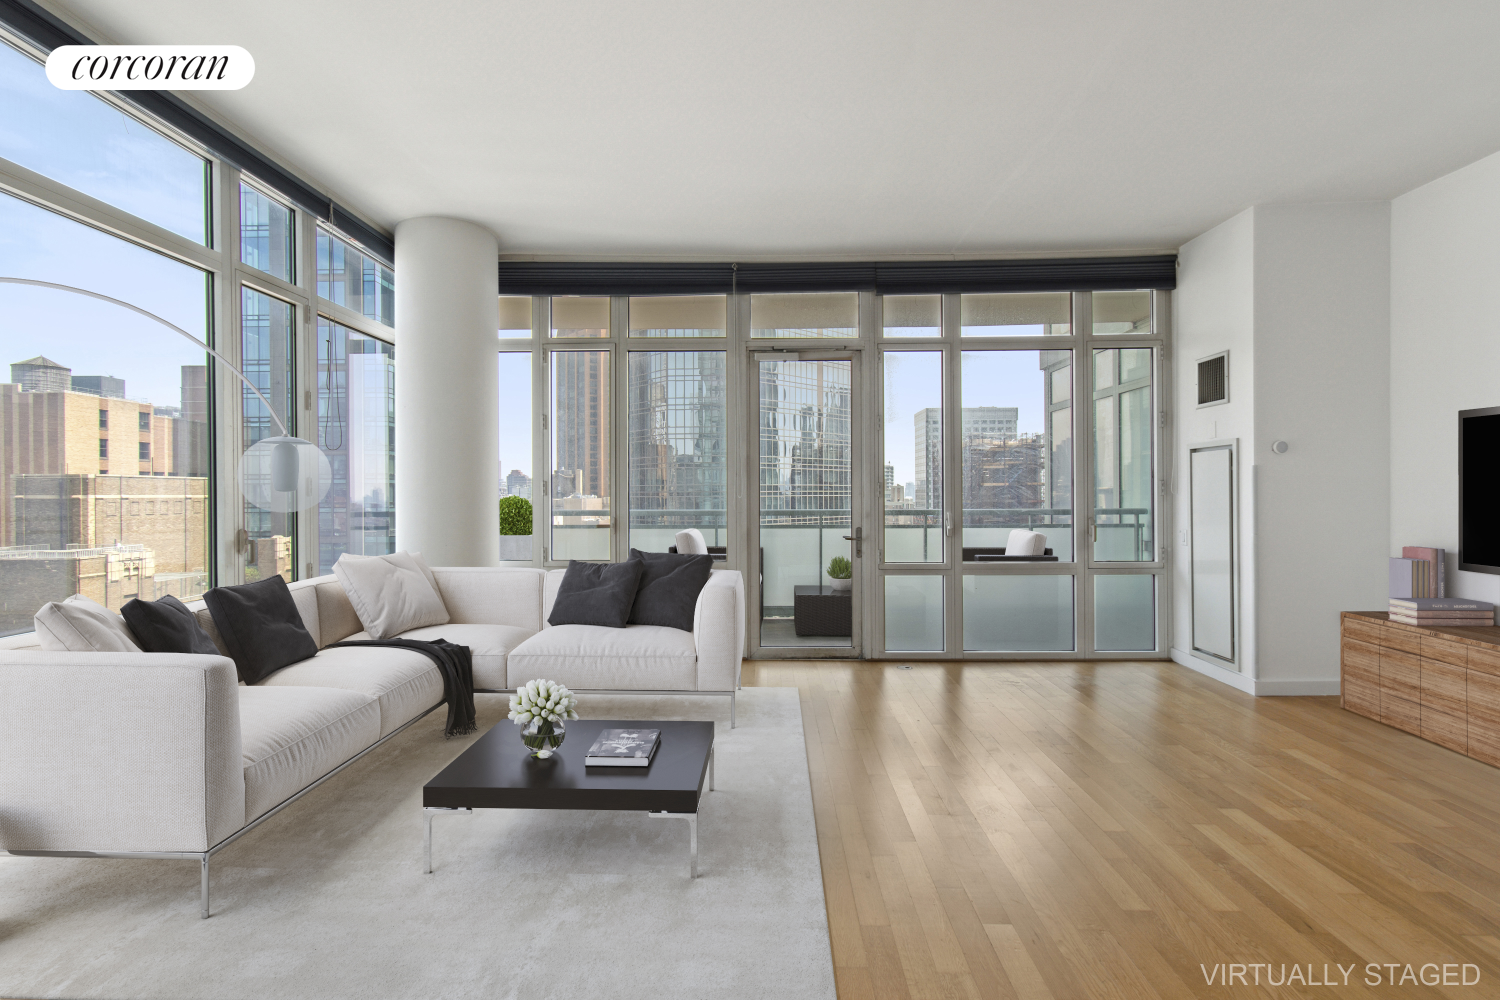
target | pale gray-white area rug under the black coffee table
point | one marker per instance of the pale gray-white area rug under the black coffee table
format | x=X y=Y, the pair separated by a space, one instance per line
x=329 y=899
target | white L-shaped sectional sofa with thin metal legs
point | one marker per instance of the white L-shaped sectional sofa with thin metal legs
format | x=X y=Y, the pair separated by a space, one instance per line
x=119 y=755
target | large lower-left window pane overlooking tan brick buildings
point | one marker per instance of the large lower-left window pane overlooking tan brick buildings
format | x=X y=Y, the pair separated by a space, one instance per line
x=104 y=422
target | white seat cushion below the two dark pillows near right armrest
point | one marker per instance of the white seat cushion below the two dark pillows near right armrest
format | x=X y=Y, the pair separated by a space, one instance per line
x=635 y=657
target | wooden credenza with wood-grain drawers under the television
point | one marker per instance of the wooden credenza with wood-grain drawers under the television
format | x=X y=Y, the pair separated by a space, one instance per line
x=1441 y=684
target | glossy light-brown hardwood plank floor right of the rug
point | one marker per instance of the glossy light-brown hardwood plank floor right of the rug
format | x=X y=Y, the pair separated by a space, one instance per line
x=1066 y=831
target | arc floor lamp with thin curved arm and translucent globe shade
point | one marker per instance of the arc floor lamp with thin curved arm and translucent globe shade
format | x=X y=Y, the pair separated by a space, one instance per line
x=277 y=475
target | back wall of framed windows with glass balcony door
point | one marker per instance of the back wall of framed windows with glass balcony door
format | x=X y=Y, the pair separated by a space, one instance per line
x=968 y=406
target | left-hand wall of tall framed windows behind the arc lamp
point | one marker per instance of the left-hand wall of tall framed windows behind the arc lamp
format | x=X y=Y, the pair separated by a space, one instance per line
x=122 y=440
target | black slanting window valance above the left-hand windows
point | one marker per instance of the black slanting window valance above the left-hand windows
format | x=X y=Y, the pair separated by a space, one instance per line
x=47 y=32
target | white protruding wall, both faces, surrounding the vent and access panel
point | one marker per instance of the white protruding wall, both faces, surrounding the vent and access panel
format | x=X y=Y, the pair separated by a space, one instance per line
x=1300 y=296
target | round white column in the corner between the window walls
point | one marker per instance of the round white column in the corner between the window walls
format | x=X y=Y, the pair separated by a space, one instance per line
x=448 y=439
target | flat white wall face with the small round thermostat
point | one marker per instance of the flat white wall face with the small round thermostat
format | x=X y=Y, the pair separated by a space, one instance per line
x=1322 y=386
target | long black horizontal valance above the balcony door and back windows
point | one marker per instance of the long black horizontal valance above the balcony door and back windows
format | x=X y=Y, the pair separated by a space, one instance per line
x=890 y=278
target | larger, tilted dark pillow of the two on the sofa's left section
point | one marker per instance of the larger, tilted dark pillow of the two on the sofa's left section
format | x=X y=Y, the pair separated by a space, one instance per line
x=260 y=626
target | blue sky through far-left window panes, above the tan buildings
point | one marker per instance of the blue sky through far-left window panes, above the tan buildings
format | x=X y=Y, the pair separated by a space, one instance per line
x=88 y=145
